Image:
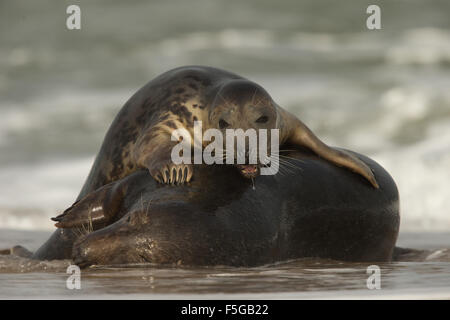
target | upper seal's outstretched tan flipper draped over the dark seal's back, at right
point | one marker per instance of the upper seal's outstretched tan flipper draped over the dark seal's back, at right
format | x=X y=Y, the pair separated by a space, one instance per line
x=295 y=132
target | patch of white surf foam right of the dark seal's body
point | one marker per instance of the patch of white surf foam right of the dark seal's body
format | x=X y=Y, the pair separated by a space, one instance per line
x=423 y=178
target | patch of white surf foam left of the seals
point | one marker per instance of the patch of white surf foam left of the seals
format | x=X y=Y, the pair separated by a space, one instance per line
x=30 y=195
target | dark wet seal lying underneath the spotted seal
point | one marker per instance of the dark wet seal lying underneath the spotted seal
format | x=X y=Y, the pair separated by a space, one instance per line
x=311 y=208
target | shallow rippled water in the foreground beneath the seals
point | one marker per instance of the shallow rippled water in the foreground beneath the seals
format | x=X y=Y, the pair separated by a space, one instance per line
x=299 y=279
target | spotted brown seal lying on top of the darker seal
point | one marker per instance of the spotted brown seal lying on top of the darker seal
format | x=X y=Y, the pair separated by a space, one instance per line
x=140 y=135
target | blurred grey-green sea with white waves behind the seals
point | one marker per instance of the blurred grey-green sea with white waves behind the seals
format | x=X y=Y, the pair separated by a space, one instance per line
x=384 y=92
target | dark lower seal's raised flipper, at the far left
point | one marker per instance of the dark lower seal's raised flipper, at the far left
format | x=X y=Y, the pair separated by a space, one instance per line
x=97 y=209
